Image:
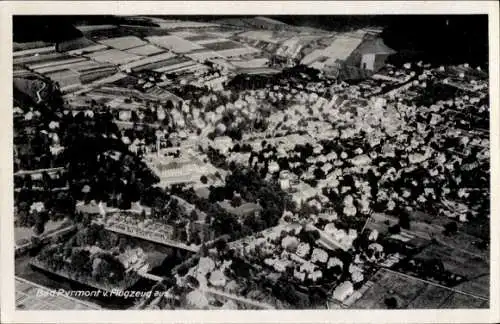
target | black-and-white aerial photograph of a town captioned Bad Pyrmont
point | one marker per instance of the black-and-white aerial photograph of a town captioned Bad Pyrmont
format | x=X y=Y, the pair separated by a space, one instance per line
x=251 y=162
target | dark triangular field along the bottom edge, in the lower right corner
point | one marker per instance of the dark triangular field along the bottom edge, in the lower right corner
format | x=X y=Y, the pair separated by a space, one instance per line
x=412 y=293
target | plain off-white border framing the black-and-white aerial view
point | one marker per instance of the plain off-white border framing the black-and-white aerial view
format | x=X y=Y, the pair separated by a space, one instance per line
x=8 y=313
